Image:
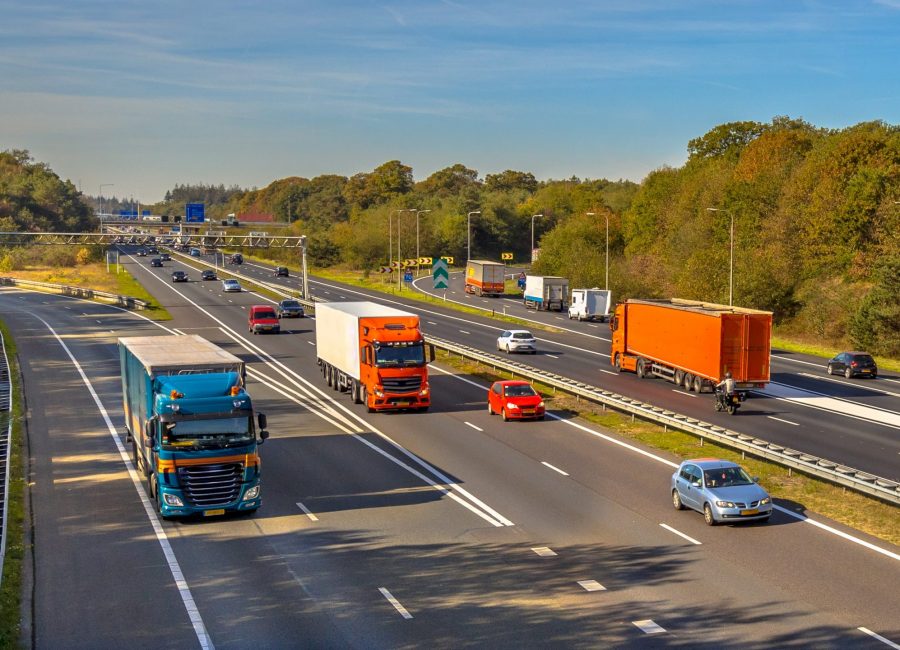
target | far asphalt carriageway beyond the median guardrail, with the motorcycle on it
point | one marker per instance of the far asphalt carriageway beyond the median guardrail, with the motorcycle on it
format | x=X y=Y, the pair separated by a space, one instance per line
x=855 y=422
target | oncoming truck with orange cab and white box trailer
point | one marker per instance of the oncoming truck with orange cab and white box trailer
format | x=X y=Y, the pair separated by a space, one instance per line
x=375 y=353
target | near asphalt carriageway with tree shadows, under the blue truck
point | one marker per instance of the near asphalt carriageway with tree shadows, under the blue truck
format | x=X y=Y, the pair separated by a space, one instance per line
x=448 y=528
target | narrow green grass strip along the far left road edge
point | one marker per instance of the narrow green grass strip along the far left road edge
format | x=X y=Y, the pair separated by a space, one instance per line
x=16 y=547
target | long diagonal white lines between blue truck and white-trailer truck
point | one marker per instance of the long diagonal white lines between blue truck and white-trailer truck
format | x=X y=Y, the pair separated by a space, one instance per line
x=445 y=484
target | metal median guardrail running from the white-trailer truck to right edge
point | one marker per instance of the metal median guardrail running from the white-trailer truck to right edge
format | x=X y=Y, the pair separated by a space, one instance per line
x=822 y=468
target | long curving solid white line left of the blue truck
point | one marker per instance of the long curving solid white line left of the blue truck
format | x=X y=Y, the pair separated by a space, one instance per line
x=174 y=568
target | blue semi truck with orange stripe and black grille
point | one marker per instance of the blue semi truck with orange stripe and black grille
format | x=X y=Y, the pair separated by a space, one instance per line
x=191 y=425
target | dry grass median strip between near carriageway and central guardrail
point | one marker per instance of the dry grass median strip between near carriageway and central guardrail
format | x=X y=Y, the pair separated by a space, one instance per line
x=794 y=490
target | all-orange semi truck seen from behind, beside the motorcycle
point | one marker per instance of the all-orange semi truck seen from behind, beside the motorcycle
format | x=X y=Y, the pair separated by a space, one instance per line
x=692 y=344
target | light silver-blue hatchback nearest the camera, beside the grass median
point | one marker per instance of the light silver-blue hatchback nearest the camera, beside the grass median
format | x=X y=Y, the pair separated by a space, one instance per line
x=721 y=490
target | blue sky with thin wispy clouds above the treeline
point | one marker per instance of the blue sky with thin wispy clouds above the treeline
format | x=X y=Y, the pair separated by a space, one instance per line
x=141 y=96
